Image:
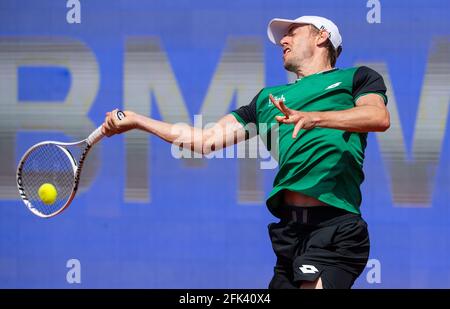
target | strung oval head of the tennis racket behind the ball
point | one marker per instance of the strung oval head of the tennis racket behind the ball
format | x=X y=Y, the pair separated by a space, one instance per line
x=48 y=163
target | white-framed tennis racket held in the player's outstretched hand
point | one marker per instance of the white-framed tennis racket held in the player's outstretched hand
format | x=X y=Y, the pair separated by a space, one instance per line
x=58 y=164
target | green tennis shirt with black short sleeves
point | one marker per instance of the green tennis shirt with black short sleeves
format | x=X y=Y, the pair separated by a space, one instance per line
x=323 y=163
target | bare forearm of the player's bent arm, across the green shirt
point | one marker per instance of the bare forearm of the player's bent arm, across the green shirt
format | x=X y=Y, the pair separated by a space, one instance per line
x=366 y=118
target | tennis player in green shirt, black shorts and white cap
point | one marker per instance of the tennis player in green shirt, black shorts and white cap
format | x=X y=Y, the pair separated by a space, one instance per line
x=321 y=240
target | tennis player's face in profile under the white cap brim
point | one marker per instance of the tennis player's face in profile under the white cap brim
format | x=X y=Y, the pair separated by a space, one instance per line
x=298 y=44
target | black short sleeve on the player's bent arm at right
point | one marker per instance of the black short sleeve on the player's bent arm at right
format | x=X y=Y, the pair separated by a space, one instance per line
x=367 y=81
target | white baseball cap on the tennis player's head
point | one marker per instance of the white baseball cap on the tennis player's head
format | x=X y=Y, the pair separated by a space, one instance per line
x=279 y=27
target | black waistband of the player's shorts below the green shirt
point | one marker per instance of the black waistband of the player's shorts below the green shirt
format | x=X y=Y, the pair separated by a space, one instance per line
x=312 y=215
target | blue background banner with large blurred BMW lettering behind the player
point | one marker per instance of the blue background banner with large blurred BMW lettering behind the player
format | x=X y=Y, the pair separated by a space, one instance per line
x=144 y=219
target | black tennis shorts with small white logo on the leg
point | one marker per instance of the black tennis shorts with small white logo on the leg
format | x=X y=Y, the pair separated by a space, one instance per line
x=321 y=241
